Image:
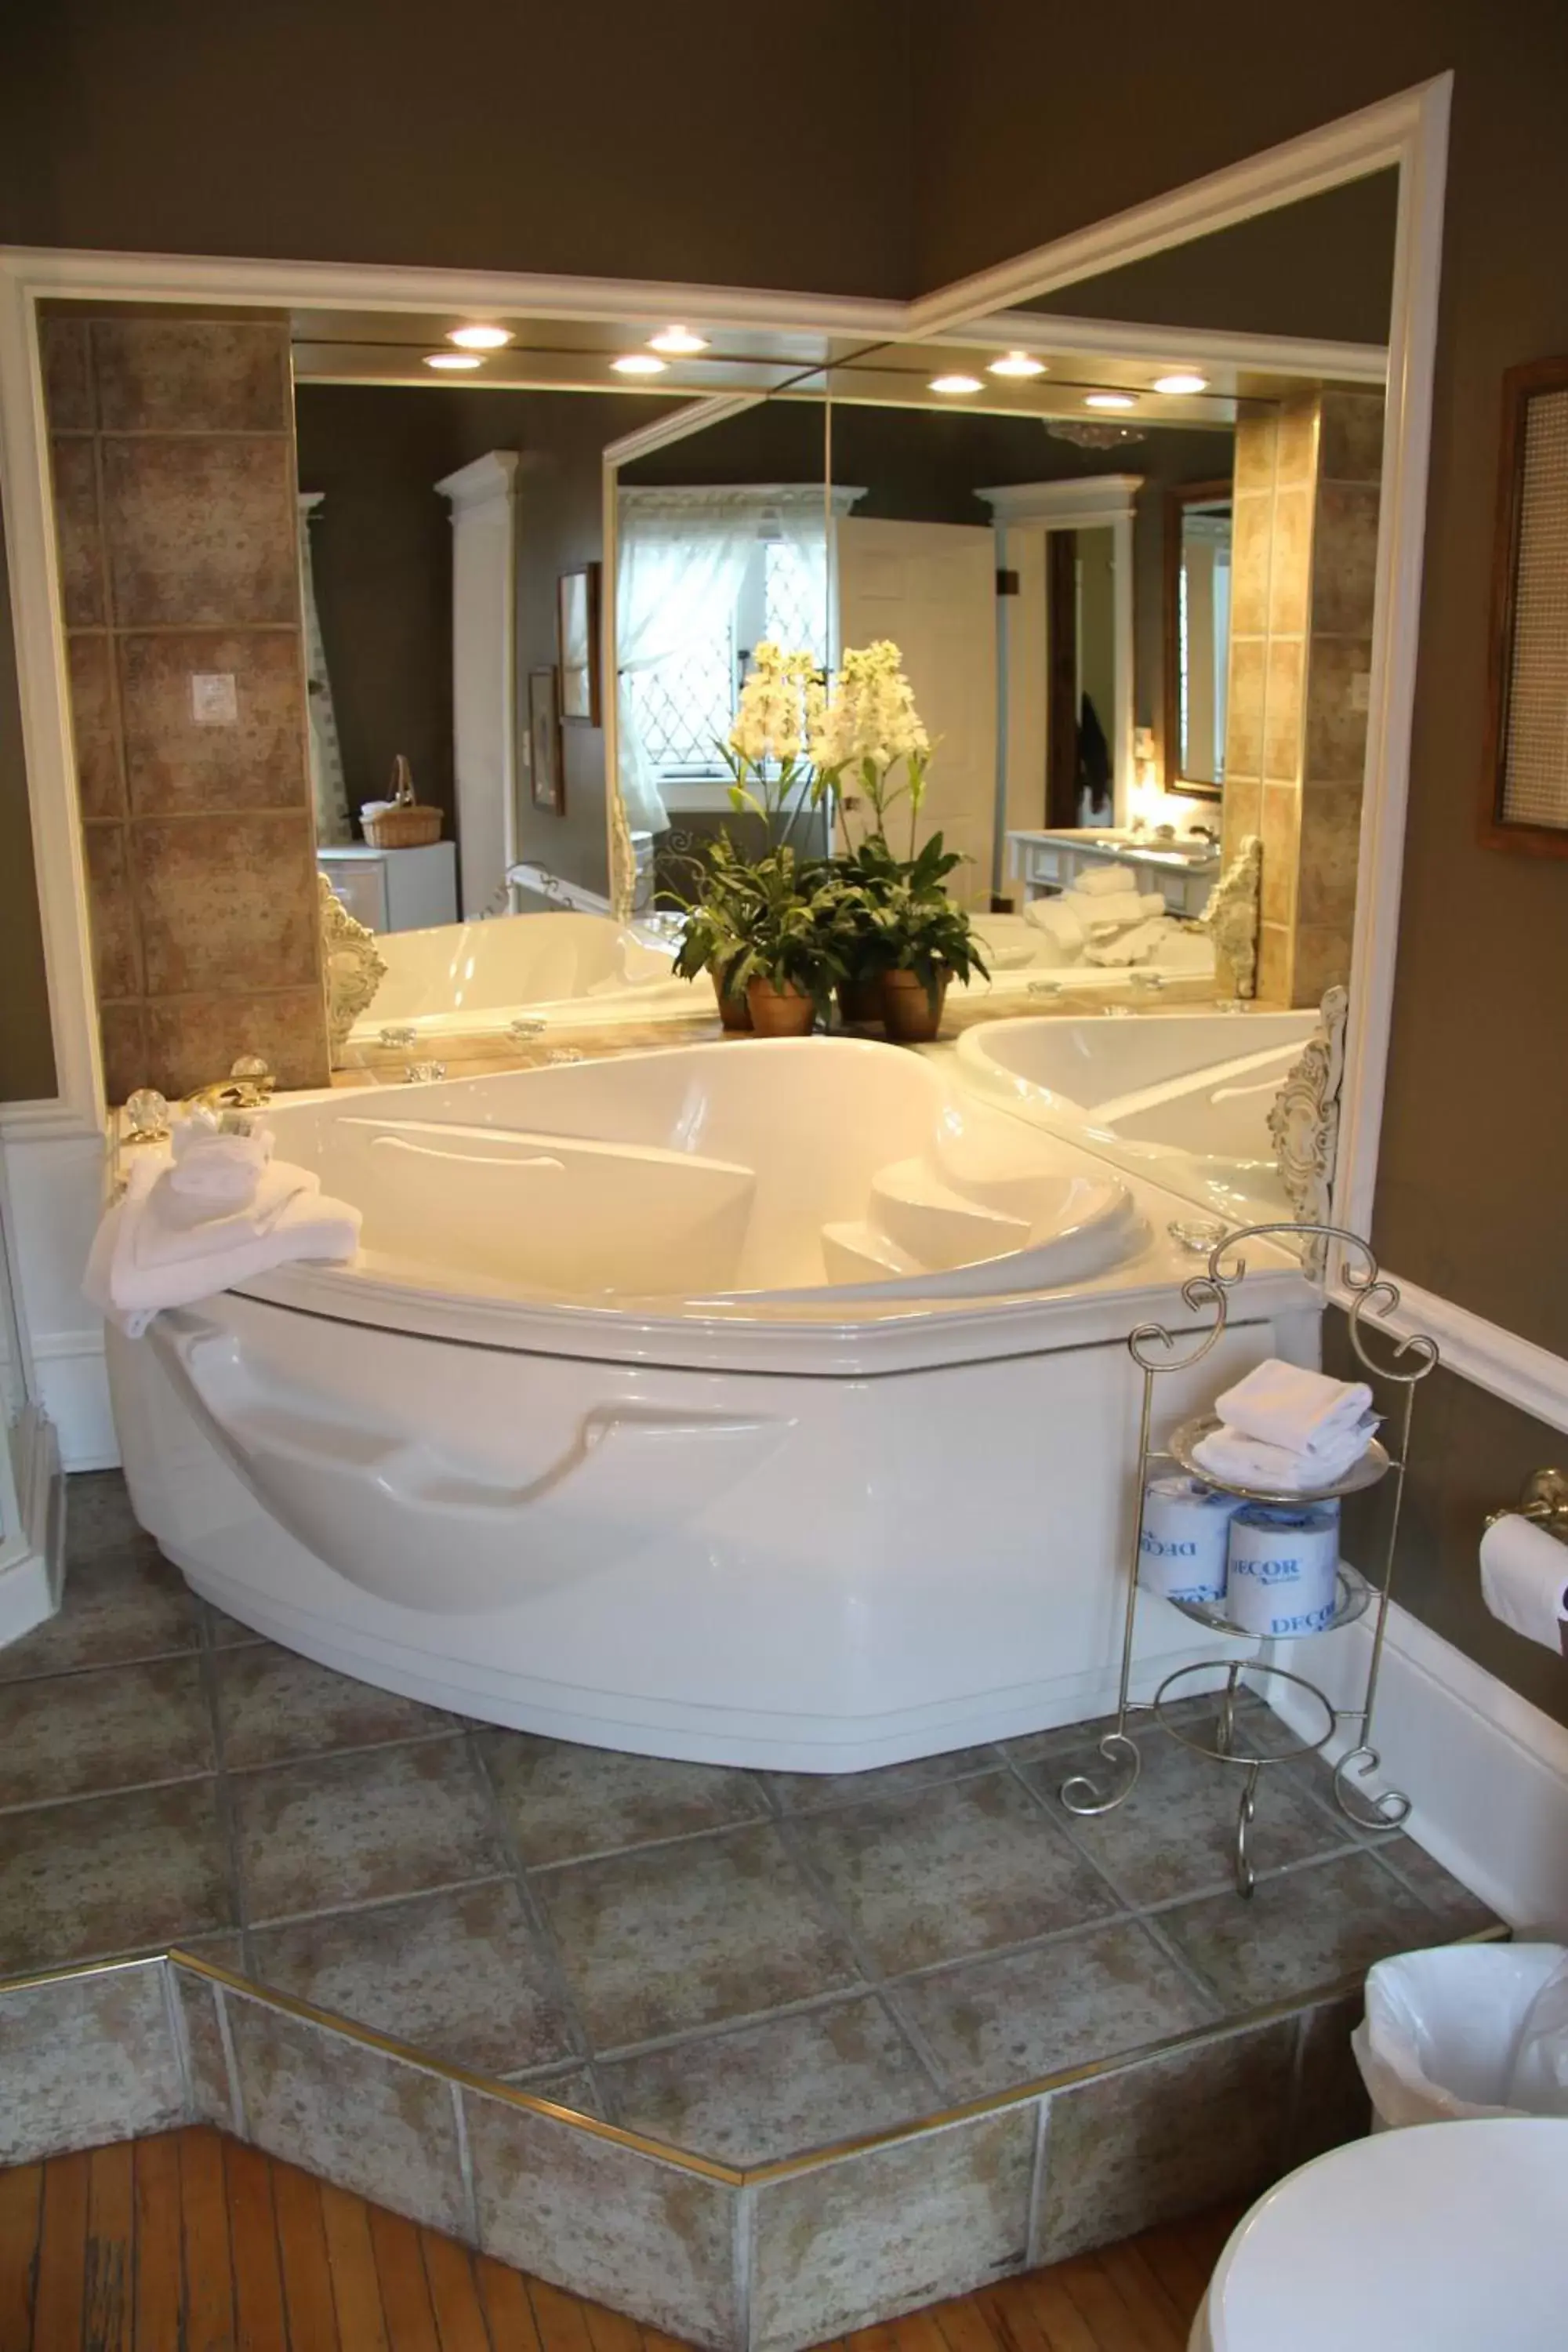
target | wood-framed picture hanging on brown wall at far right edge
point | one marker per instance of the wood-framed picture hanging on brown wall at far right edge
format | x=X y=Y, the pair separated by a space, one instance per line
x=1527 y=744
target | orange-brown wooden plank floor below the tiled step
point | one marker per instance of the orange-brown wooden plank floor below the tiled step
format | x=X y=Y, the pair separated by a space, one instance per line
x=199 y=2245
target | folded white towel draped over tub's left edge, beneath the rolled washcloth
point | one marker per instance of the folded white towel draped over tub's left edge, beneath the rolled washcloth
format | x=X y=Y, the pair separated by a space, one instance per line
x=152 y=1255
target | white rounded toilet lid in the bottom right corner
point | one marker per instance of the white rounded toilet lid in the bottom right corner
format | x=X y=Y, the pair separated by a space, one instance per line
x=1438 y=2238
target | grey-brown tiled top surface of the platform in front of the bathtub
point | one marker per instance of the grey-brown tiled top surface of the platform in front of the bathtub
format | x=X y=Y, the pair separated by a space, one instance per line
x=746 y=1965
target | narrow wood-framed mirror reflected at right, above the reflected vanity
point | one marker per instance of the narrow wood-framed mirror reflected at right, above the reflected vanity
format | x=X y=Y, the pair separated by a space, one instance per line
x=1198 y=596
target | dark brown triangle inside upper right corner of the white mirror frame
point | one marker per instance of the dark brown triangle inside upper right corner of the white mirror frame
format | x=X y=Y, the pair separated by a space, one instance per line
x=1318 y=269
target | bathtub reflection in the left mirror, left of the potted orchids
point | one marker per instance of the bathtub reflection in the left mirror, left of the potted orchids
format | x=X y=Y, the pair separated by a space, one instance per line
x=558 y=968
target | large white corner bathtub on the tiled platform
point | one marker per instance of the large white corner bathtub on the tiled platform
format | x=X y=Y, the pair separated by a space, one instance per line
x=744 y=1403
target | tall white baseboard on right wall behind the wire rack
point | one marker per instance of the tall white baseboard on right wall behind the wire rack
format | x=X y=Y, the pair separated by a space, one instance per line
x=1487 y=1770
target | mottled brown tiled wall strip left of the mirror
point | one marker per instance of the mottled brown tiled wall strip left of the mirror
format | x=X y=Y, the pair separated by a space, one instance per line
x=173 y=455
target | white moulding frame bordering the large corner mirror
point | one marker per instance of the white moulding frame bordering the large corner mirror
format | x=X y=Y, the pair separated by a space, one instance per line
x=1407 y=133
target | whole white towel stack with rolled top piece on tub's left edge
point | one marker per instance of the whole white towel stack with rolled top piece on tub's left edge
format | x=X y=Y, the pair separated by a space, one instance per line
x=210 y=1212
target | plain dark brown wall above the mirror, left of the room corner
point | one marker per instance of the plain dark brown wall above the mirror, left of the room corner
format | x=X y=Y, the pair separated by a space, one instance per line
x=610 y=140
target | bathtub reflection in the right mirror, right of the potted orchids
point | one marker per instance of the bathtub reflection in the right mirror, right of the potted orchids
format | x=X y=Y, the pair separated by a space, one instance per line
x=1181 y=1097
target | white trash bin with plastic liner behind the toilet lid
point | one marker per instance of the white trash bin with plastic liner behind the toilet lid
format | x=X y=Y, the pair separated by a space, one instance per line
x=1468 y=2031
